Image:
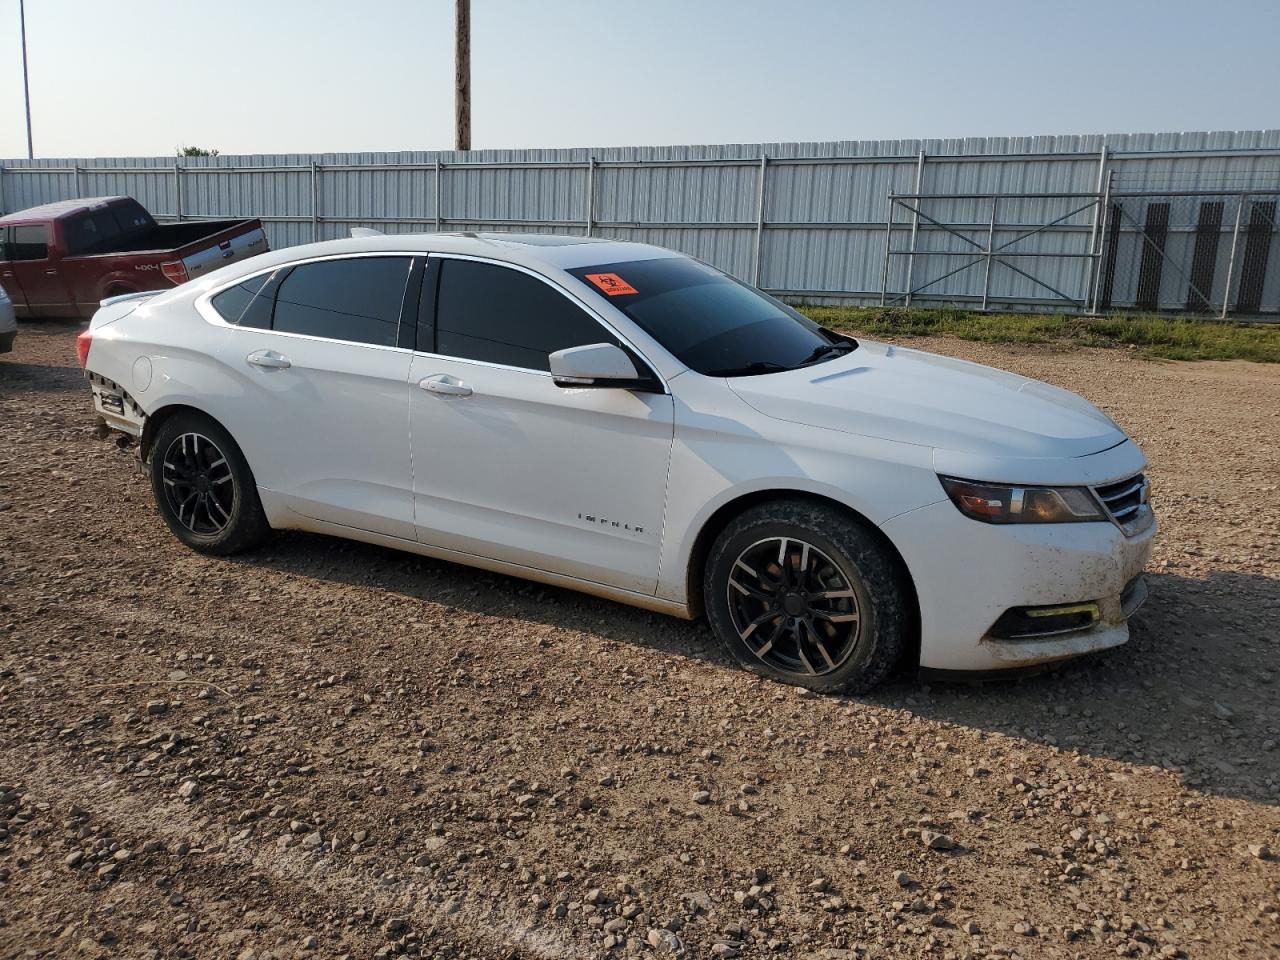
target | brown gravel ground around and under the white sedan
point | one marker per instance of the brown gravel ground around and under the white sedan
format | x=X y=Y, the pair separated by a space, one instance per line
x=330 y=749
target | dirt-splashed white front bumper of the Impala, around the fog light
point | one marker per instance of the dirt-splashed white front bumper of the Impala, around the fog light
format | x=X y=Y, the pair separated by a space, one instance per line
x=968 y=574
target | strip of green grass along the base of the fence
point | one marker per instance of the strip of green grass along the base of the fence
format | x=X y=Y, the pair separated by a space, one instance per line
x=1167 y=339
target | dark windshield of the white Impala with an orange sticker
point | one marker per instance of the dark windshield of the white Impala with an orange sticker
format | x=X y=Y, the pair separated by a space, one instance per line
x=710 y=322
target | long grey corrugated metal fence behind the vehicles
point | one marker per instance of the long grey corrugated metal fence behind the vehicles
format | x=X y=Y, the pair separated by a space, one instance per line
x=812 y=222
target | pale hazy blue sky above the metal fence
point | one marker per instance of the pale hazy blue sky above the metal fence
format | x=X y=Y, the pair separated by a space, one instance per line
x=141 y=77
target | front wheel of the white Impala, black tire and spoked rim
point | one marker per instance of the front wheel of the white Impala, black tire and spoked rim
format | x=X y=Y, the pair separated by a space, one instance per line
x=835 y=624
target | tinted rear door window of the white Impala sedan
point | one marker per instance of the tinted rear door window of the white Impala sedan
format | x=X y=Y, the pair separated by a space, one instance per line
x=354 y=300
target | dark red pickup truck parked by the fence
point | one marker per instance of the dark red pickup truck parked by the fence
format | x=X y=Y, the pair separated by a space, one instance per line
x=63 y=259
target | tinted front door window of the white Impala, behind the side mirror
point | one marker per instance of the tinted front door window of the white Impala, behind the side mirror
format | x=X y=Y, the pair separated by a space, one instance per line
x=505 y=317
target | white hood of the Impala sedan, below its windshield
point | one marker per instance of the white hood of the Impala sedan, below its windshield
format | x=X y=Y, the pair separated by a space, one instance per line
x=913 y=397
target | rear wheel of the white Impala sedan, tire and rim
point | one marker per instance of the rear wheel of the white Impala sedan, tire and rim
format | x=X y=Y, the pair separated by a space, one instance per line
x=204 y=488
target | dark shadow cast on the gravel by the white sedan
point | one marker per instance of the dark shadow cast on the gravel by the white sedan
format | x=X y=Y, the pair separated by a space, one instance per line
x=1196 y=691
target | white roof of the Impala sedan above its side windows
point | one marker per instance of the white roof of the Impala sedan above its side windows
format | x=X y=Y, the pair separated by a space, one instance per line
x=538 y=252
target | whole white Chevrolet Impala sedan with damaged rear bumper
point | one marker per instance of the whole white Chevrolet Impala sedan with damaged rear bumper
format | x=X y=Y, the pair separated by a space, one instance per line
x=629 y=422
